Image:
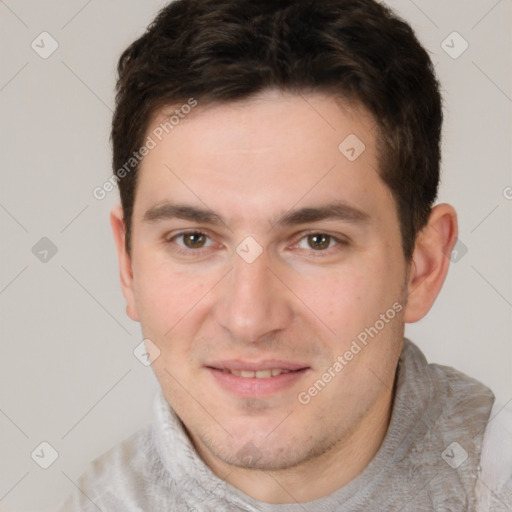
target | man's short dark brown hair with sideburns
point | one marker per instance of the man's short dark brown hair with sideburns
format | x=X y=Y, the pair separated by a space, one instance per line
x=226 y=50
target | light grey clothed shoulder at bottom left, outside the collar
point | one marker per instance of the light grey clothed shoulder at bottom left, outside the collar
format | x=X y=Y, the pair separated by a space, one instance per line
x=121 y=479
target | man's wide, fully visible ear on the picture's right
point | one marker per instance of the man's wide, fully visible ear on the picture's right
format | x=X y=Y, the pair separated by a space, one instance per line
x=430 y=261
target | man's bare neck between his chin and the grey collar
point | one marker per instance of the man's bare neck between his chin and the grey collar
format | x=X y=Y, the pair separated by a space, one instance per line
x=317 y=477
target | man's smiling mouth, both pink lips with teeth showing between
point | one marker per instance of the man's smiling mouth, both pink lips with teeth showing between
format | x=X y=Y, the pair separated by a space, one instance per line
x=248 y=379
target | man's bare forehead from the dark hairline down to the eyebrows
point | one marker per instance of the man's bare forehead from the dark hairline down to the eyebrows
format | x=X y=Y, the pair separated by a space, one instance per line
x=266 y=154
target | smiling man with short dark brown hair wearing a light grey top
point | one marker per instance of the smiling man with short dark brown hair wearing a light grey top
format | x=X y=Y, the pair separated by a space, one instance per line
x=278 y=164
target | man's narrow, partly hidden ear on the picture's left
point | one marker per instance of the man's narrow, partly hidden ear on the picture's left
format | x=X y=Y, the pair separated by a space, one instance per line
x=125 y=264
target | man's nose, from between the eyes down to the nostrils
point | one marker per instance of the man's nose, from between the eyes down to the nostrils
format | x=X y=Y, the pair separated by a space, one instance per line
x=253 y=303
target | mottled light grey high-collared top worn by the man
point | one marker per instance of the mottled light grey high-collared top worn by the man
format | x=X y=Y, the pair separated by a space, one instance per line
x=428 y=461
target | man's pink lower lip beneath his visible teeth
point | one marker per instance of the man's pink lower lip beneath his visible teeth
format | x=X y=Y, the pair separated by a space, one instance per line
x=254 y=387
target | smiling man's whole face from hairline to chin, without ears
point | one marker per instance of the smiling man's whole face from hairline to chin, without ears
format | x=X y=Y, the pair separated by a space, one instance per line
x=258 y=245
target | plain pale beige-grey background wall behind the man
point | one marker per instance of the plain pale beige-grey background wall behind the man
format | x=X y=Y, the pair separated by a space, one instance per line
x=68 y=373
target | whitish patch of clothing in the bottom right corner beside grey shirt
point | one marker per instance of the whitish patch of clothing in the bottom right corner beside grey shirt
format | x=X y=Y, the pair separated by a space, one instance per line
x=494 y=485
